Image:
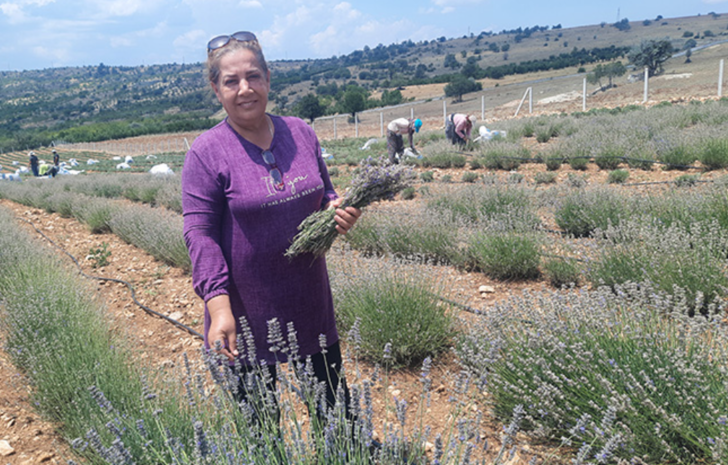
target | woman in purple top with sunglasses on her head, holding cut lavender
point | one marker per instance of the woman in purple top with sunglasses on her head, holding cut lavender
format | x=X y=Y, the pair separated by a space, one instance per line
x=247 y=184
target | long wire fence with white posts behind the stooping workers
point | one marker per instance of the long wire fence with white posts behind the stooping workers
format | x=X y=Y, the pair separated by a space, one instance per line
x=568 y=94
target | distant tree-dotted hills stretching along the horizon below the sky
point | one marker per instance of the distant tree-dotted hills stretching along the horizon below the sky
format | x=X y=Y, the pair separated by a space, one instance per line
x=102 y=102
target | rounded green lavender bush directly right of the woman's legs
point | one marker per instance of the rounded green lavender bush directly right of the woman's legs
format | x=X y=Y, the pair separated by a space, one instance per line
x=393 y=304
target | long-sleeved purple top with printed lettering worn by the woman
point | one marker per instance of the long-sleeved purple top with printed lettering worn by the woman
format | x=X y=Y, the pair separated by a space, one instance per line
x=237 y=227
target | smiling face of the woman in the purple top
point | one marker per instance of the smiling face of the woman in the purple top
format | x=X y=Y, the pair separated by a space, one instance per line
x=242 y=88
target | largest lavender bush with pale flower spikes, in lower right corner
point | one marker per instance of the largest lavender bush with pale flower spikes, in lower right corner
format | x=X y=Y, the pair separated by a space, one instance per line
x=592 y=367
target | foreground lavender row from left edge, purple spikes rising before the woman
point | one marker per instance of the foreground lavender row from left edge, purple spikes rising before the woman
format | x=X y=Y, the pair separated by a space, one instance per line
x=114 y=411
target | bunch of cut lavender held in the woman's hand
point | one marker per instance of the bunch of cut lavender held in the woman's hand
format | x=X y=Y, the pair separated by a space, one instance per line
x=373 y=180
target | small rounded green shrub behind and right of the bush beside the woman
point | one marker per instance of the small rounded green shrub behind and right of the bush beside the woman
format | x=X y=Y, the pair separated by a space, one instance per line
x=505 y=256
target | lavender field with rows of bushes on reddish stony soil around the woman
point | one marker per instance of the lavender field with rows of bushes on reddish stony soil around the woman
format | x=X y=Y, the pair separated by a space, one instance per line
x=616 y=221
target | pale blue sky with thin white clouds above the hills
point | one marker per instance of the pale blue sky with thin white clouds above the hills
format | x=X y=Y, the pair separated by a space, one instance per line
x=39 y=34
